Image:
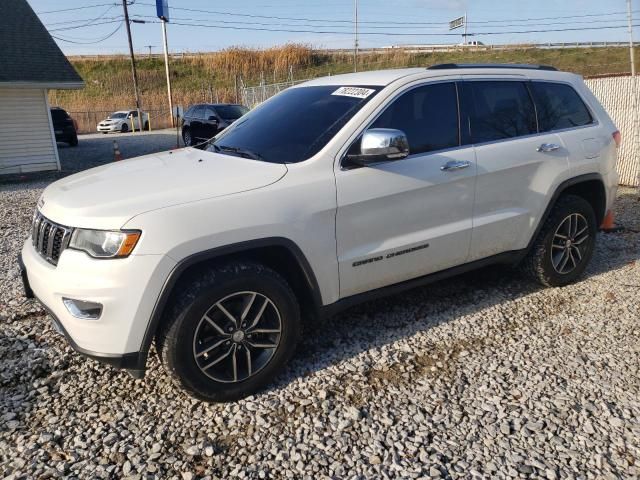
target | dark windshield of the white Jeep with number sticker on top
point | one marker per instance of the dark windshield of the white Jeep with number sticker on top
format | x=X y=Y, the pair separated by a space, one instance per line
x=294 y=125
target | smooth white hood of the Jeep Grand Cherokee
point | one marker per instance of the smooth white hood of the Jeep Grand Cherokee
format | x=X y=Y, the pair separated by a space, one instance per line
x=107 y=196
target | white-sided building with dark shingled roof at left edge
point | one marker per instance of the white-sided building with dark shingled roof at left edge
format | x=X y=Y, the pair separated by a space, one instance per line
x=30 y=64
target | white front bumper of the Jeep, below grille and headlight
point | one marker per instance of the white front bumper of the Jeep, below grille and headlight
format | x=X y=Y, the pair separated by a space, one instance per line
x=127 y=288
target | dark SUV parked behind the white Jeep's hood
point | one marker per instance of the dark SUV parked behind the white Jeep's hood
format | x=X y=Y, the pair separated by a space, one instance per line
x=204 y=120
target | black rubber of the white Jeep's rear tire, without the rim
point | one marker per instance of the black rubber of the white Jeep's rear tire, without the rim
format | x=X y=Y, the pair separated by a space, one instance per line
x=574 y=205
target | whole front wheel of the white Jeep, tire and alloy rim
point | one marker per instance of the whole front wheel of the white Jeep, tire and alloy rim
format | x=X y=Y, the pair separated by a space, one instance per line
x=201 y=347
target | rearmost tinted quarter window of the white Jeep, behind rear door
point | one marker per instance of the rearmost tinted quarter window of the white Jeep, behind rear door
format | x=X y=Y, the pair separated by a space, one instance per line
x=559 y=106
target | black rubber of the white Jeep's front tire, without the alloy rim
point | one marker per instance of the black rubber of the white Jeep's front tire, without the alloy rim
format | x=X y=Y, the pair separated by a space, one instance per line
x=183 y=362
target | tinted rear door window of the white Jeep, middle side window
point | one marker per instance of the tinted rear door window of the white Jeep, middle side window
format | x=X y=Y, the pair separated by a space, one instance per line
x=500 y=109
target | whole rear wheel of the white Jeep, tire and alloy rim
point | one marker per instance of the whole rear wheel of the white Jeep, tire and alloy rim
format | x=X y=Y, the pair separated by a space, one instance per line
x=571 y=227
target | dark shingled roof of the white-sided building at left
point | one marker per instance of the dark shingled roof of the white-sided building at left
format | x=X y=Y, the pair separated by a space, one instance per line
x=29 y=56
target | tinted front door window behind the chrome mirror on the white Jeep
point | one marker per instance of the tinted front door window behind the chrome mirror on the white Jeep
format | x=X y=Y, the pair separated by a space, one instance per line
x=428 y=115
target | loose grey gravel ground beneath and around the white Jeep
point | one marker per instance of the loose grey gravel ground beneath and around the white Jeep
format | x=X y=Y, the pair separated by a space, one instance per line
x=484 y=375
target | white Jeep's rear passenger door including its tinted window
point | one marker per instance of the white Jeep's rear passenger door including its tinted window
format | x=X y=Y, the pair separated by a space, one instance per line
x=517 y=166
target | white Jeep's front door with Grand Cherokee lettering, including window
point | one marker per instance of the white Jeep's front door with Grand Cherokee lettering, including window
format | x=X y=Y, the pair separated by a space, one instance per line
x=402 y=219
